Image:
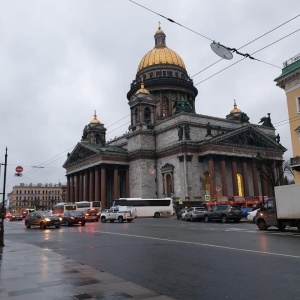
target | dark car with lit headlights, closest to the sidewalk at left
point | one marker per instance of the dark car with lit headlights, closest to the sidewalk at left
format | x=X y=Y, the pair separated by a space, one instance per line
x=43 y=219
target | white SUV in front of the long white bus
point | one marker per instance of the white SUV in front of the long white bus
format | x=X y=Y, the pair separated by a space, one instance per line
x=118 y=213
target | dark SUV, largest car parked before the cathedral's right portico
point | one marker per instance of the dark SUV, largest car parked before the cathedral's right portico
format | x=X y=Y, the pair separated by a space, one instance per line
x=224 y=213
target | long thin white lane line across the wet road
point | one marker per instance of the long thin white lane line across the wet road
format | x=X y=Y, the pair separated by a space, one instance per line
x=200 y=244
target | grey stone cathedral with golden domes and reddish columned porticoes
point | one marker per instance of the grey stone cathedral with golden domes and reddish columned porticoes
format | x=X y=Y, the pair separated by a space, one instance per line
x=170 y=150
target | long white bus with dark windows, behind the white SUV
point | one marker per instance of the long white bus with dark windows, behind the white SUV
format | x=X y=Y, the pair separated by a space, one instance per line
x=148 y=207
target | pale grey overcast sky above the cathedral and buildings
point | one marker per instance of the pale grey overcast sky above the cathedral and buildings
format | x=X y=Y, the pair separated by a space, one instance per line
x=62 y=59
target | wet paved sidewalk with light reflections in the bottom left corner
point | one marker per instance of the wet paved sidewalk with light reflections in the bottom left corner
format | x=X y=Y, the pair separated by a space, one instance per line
x=31 y=273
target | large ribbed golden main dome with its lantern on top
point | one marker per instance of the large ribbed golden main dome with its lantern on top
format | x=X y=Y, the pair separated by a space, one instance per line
x=161 y=54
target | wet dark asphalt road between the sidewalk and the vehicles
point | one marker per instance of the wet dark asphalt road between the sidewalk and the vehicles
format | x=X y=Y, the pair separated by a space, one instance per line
x=181 y=259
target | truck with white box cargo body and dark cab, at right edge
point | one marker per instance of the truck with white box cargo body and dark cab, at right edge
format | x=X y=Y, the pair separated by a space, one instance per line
x=281 y=211
